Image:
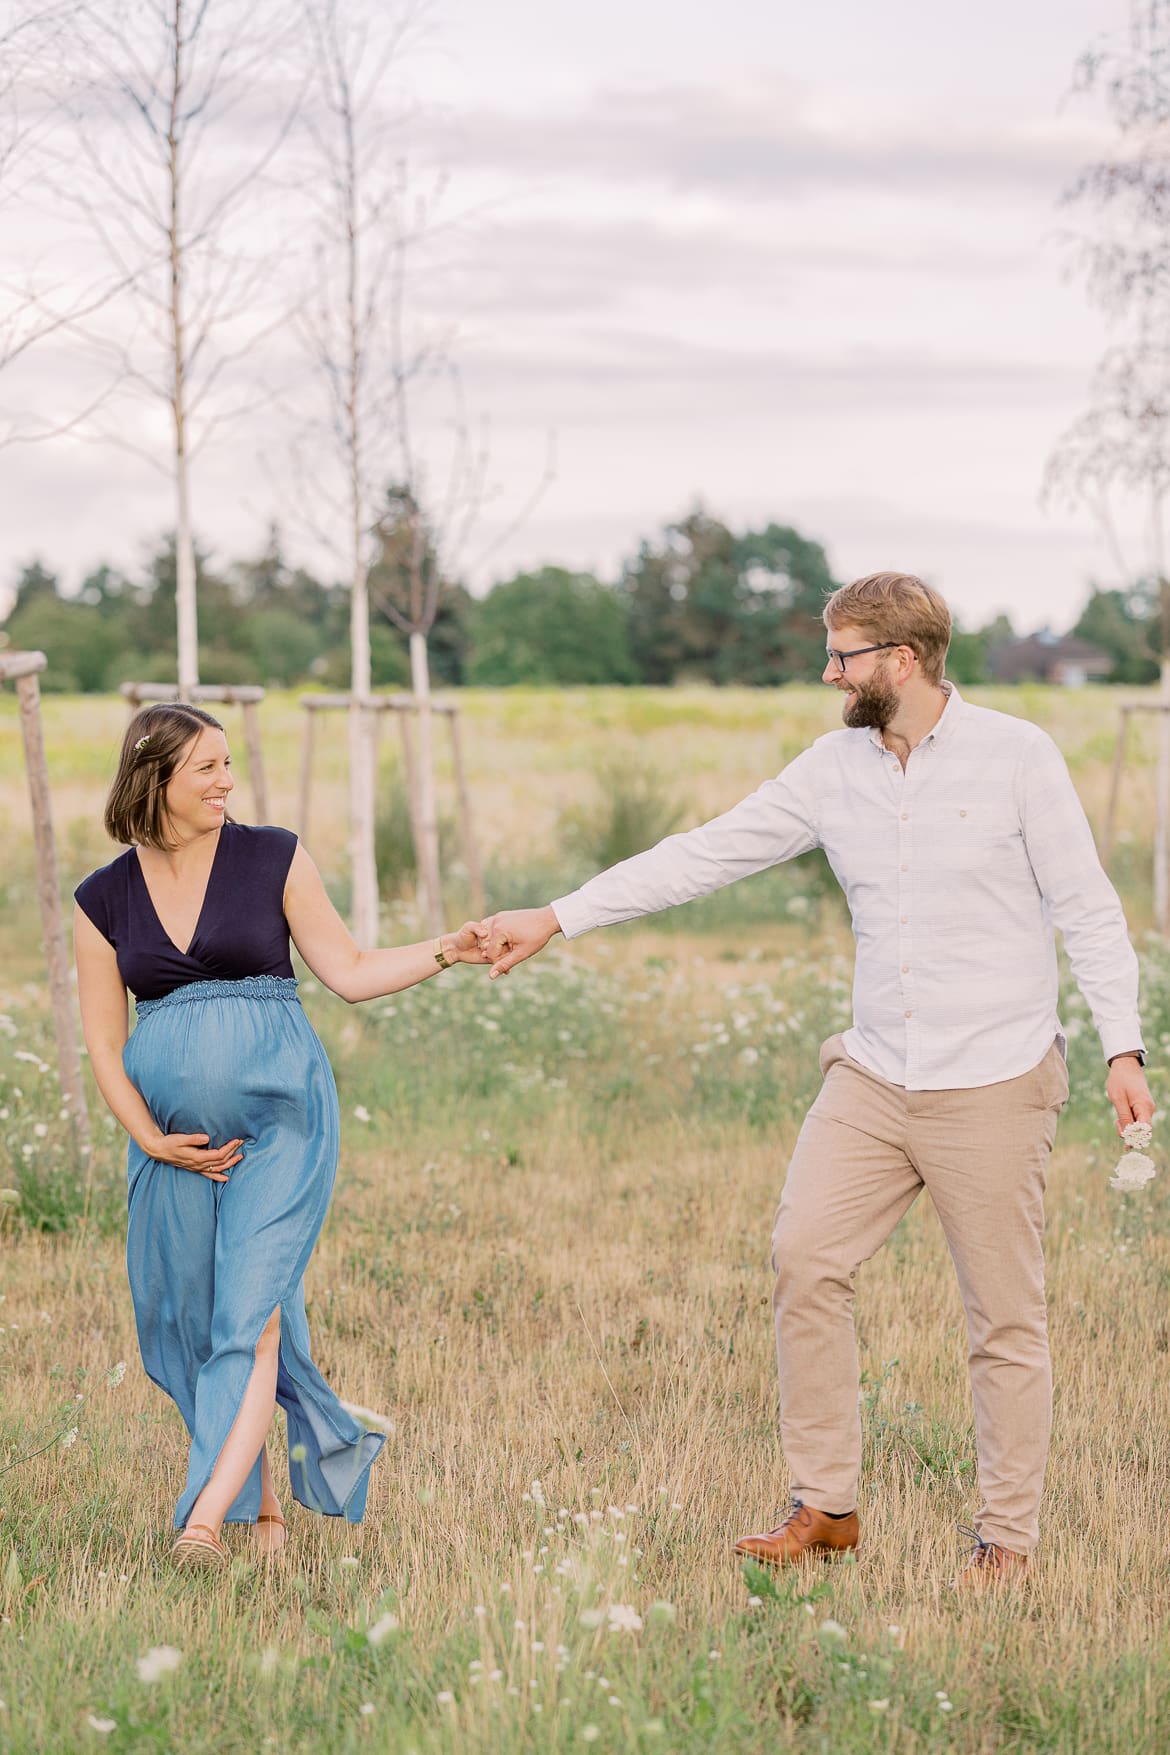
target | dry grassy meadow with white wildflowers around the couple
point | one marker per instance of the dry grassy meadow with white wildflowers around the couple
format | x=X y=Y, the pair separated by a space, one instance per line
x=548 y=1266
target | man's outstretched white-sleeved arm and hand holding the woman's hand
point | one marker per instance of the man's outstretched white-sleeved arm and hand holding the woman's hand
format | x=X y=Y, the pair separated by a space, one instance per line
x=774 y=824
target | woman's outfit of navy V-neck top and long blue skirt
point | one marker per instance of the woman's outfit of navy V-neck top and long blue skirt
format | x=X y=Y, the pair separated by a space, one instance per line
x=222 y=1047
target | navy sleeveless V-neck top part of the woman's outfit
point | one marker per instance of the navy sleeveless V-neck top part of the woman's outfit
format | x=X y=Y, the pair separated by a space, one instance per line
x=241 y=929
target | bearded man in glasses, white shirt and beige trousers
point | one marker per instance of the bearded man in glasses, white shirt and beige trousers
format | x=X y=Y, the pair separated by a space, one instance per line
x=960 y=845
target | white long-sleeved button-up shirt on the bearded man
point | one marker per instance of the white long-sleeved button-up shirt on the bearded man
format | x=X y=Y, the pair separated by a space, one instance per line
x=957 y=873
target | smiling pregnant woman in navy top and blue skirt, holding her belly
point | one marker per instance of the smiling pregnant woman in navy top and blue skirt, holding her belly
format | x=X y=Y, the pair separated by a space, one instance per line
x=231 y=1107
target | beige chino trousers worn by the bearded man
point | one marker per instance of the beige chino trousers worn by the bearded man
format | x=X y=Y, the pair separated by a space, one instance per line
x=862 y=1156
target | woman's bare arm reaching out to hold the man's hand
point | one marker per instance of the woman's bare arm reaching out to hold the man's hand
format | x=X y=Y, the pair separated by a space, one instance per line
x=327 y=945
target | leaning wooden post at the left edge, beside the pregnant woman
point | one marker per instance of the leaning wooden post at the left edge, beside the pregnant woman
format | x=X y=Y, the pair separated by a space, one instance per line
x=24 y=671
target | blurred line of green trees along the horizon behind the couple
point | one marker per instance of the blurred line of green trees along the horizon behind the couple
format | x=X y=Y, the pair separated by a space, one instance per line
x=697 y=603
